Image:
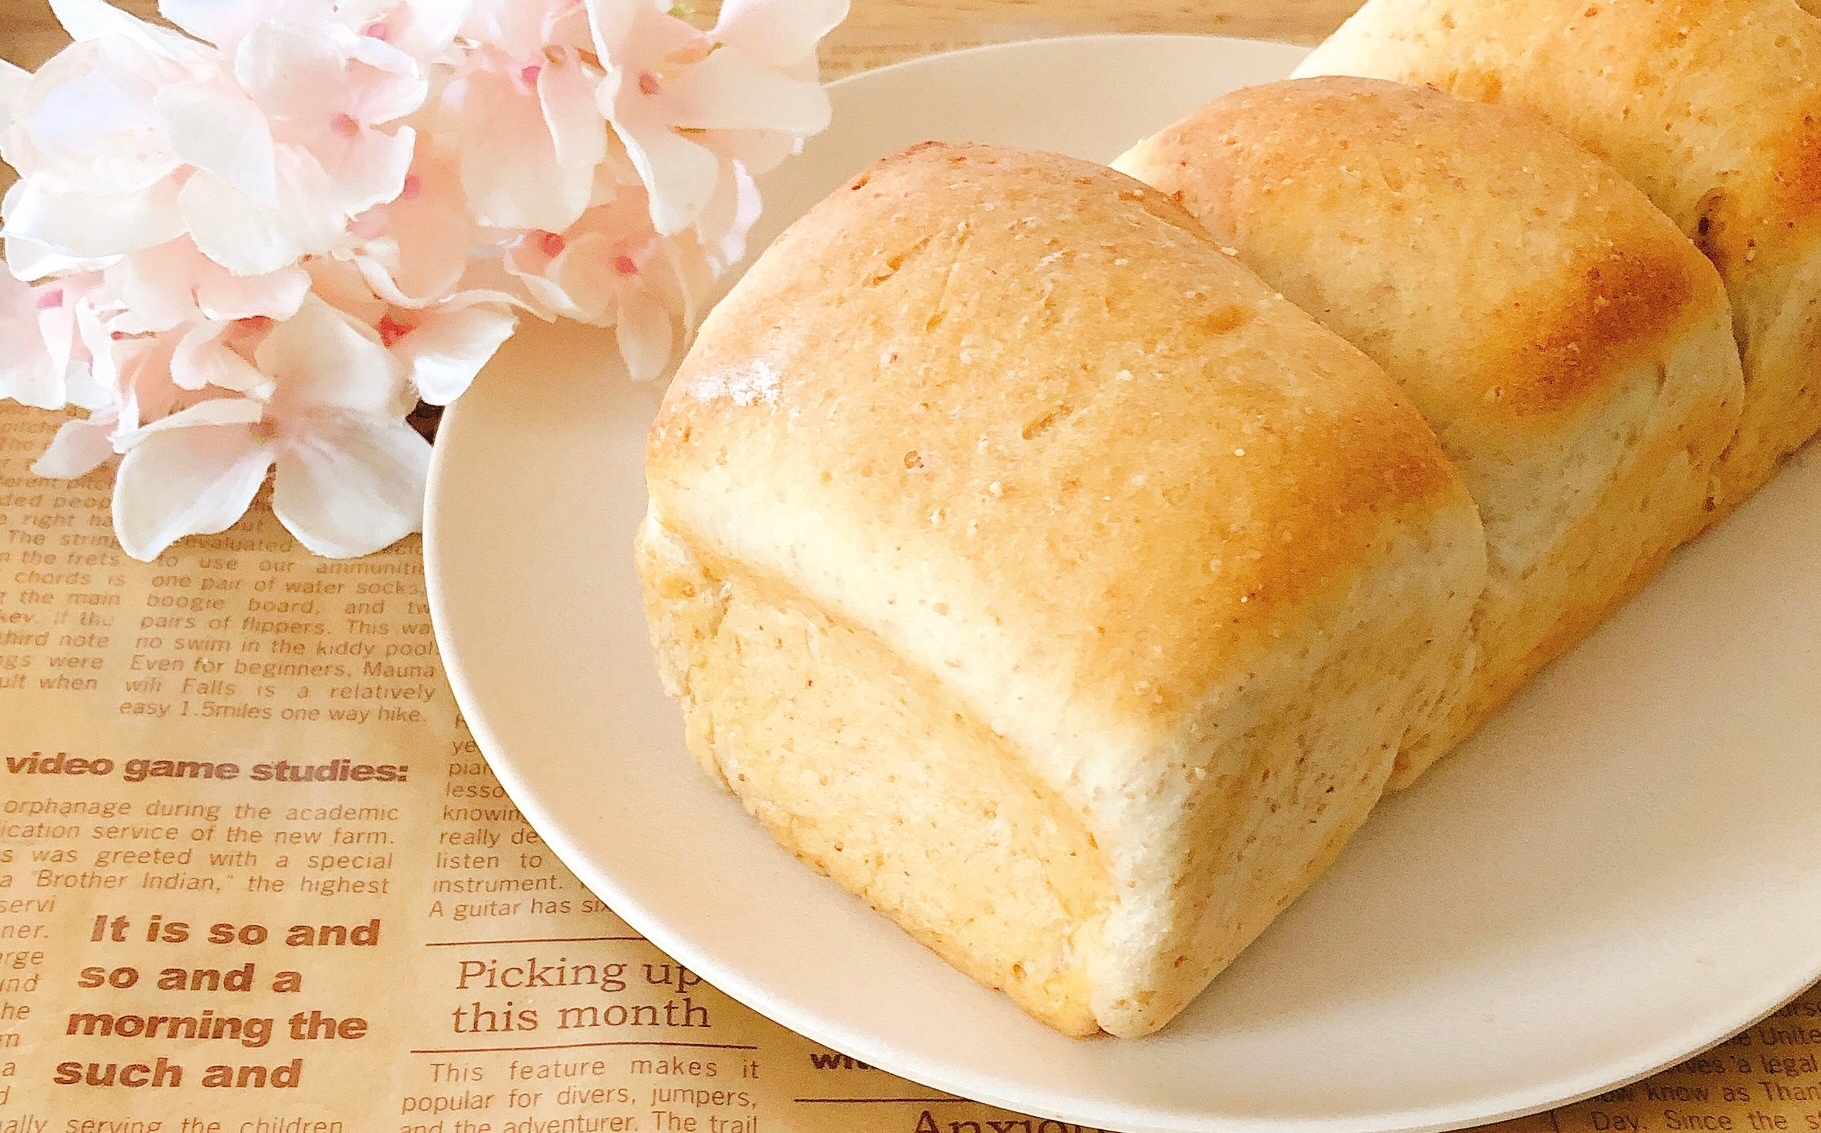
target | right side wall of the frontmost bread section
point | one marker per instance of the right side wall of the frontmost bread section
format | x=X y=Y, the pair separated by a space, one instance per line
x=1279 y=768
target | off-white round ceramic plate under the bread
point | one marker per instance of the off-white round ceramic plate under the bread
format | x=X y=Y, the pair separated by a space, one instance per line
x=1618 y=873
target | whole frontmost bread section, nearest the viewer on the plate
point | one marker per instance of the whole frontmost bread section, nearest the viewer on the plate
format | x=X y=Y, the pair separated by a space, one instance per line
x=1033 y=571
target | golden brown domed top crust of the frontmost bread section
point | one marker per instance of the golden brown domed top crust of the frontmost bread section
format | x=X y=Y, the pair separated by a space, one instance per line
x=1068 y=454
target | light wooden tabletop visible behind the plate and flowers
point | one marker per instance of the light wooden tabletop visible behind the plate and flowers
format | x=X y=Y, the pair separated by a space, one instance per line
x=880 y=32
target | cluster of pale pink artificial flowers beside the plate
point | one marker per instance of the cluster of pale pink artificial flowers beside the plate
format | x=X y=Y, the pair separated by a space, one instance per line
x=252 y=245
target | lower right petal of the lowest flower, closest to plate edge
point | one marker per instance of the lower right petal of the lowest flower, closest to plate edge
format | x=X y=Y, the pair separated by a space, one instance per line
x=352 y=489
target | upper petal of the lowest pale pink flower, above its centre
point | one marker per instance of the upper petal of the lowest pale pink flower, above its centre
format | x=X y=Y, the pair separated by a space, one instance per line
x=325 y=360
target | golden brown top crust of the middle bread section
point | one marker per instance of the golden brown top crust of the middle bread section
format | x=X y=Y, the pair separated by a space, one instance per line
x=1529 y=272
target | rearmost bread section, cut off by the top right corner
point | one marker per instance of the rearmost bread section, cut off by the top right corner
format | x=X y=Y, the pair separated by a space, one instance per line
x=1711 y=107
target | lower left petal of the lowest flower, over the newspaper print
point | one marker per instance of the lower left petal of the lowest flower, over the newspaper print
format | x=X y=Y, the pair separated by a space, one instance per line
x=190 y=482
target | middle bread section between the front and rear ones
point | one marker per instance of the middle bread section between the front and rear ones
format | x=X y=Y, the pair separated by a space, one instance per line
x=1569 y=345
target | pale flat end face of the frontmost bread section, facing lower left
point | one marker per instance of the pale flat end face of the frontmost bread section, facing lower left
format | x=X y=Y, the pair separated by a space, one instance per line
x=868 y=771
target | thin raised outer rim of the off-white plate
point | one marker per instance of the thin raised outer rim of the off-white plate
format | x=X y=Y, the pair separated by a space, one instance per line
x=1423 y=1119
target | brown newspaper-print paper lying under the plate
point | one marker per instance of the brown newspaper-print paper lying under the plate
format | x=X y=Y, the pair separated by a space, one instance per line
x=256 y=877
